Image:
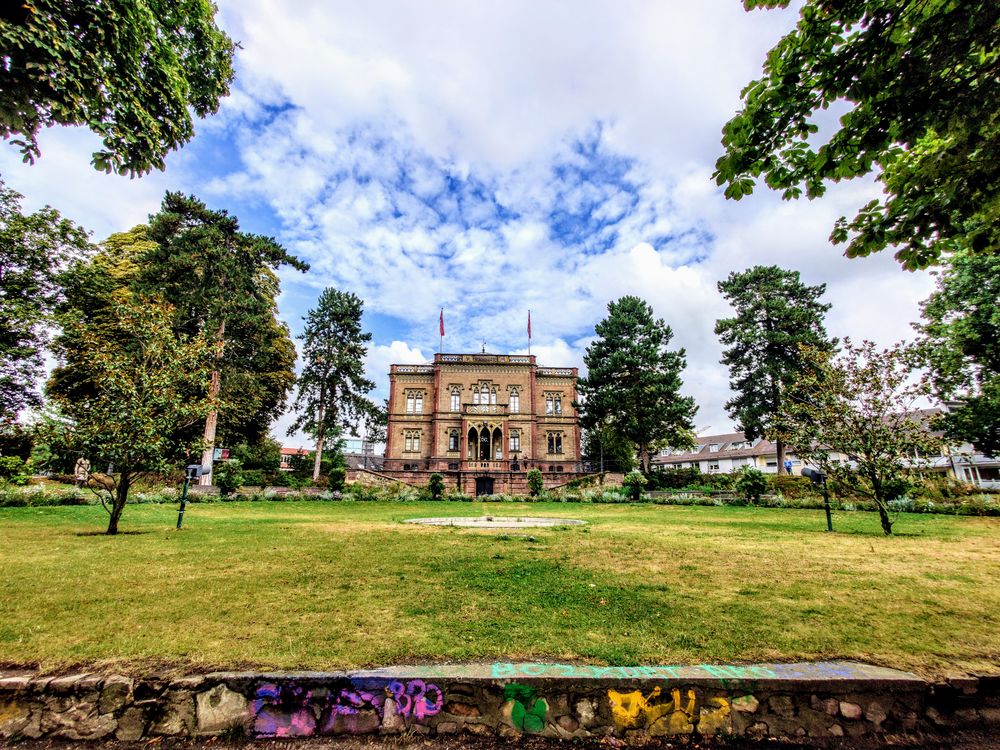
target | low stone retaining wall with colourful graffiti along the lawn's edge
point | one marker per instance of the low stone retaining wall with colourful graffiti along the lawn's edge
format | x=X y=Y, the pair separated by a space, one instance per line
x=551 y=700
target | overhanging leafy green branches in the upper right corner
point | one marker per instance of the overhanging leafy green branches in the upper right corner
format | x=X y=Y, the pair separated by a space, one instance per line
x=920 y=81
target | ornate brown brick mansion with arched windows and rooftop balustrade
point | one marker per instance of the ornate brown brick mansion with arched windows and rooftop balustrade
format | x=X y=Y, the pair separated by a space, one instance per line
x=482 y=421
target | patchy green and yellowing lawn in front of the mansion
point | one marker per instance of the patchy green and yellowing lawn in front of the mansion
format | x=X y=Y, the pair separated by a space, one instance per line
x=333 y=585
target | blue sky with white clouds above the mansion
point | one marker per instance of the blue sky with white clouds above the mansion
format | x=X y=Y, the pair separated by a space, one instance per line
x=491 y=159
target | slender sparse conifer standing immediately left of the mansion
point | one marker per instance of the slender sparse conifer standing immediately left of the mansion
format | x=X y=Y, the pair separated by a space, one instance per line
x=332 y=389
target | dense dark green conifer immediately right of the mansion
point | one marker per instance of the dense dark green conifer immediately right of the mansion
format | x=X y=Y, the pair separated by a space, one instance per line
x=633 y=382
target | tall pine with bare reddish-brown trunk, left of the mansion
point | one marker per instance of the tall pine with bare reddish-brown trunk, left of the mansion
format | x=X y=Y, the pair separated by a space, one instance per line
x=222 y=281
